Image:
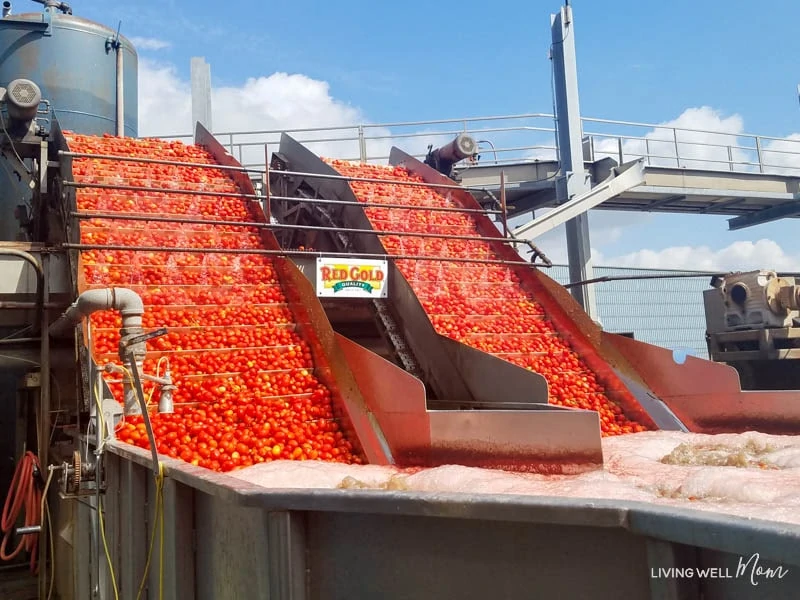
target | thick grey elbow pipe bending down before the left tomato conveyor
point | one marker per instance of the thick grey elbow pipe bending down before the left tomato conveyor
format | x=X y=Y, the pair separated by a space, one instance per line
x=131 y=307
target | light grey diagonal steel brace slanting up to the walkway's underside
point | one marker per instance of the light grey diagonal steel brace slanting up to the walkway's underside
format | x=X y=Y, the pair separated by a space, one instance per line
x=632 y=176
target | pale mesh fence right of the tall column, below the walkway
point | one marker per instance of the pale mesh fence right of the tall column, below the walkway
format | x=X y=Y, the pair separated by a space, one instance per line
x=663 y=312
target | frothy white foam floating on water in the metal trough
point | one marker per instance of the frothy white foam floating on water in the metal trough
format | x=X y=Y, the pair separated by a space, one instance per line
x=750 y=475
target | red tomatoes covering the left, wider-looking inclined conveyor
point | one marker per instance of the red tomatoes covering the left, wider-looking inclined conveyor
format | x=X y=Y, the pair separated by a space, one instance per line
x=246 y=389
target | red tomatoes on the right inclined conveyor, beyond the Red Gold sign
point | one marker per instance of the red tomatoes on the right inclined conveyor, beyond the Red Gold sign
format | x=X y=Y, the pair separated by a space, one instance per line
x=482 y=305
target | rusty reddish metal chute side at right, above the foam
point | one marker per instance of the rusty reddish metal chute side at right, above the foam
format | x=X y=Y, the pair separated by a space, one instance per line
x=706 y=396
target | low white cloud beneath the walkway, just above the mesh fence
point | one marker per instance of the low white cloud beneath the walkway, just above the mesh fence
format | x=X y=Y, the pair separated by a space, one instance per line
x=763 y=254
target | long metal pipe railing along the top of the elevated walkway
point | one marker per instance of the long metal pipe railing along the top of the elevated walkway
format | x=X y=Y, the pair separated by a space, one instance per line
x=529 y=138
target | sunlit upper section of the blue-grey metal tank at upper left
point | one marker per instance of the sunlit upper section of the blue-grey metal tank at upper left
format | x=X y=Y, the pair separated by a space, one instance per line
x=74 y=62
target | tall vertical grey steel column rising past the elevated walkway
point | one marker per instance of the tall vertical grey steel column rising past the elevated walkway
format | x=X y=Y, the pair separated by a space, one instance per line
x=574 y=180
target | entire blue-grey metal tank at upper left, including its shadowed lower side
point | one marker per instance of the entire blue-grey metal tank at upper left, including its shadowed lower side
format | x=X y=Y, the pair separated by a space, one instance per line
x=75 y=63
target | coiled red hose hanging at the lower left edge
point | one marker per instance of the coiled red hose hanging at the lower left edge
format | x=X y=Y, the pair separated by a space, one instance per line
x=23 y=493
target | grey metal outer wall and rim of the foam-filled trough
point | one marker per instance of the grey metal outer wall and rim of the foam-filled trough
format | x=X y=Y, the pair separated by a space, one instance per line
x=253 y=542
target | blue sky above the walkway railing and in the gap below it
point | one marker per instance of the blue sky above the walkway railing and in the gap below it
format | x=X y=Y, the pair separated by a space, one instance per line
x=384 y=62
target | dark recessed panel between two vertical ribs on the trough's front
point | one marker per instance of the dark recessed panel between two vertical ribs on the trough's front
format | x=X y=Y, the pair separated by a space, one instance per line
x=408 y=558
